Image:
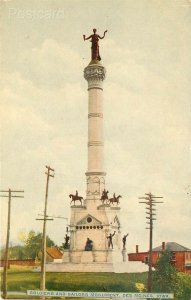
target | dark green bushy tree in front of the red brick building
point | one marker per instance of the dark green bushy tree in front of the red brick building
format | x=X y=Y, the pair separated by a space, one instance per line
x=165 y=277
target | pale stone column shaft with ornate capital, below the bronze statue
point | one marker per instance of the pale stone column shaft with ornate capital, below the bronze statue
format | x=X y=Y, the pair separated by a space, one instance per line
x=94 y=73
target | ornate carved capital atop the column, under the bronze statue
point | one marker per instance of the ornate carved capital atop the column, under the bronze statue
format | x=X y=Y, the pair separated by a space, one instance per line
x=94 y=74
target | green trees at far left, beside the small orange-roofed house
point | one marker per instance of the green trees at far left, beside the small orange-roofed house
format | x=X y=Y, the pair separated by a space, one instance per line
x=31 y=244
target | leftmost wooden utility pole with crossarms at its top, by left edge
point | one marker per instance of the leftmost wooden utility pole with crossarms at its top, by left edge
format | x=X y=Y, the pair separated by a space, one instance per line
x=9 y=196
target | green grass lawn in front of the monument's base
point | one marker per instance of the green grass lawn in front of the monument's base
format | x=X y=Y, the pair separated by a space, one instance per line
x=21 y=279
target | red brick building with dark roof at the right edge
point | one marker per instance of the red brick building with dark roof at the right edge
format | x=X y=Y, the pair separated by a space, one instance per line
x=181 y=256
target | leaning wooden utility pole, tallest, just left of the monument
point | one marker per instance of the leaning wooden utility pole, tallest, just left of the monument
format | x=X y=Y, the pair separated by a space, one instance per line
x=45 y=218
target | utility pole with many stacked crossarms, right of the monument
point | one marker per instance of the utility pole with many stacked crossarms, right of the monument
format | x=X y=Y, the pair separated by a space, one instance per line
x=151 y=216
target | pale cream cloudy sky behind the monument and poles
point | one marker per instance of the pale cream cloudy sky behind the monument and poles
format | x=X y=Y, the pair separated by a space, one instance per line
x=147 y=113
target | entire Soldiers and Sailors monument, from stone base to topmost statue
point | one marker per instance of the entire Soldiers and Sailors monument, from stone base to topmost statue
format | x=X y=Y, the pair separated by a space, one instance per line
x=94 y=237
